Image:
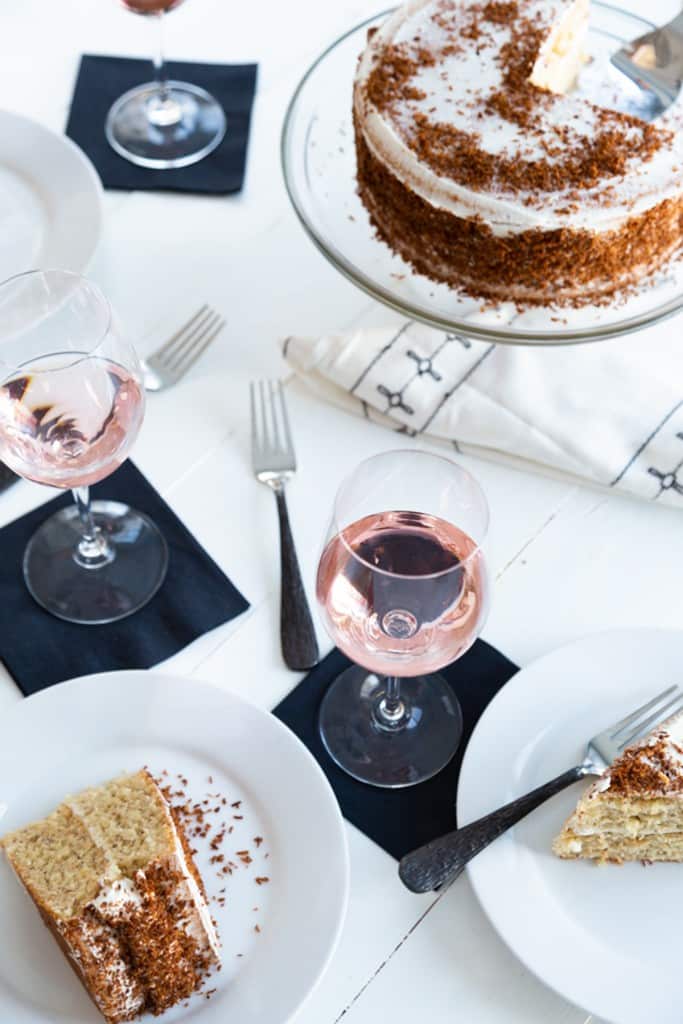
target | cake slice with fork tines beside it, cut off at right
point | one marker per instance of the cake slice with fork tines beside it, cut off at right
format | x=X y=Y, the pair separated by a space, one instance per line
x=635 y=809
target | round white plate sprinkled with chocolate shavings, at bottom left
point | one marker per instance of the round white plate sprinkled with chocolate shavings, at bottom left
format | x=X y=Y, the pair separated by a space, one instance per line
x=92 y=730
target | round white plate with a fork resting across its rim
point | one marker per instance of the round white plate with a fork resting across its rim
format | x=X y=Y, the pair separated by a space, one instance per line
x=607 y=938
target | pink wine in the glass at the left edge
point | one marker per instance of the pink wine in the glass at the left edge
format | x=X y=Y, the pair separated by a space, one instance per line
x=69 y=424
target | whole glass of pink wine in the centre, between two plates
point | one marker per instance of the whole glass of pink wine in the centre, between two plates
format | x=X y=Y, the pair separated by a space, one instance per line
x=404 y=591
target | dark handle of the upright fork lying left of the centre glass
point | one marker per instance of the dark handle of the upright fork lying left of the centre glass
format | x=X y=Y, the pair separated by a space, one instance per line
x=296 y=626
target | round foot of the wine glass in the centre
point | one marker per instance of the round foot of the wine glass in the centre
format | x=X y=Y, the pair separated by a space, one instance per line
x=394 y=759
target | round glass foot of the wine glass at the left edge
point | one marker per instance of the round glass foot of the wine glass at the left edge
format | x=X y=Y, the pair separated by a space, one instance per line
x=96 y=596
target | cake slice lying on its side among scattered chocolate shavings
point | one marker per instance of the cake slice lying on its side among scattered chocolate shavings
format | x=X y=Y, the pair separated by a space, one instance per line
x=113 y=877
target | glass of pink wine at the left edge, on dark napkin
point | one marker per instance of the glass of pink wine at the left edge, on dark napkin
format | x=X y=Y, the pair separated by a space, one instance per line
x=72 y=404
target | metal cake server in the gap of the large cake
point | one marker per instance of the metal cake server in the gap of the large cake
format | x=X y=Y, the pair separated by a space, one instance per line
x=655 y=63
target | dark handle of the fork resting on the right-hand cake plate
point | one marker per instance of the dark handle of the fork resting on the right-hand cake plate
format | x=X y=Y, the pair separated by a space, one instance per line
x=444 y=860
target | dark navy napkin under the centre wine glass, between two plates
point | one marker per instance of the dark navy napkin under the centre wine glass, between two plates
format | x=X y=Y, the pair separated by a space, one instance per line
x=400 y=821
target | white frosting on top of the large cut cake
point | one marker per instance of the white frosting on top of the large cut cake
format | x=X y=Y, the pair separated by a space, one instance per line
x=475 y=73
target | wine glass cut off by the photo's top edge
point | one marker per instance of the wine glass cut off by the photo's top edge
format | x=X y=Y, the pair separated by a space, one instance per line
x=164 y=124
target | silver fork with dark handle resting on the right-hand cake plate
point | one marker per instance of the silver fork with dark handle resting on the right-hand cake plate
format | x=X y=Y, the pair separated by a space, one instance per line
x=441 y=862
